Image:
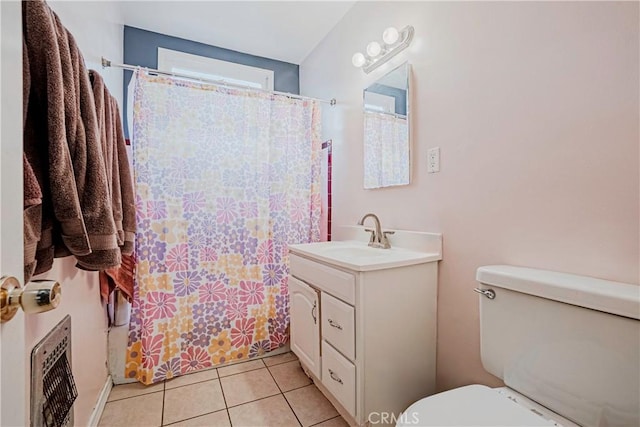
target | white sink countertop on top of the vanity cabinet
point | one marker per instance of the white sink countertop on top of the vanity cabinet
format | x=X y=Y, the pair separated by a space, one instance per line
x=356 y=255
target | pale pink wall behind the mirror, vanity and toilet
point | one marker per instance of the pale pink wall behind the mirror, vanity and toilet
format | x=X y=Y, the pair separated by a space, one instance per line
x=535 y=109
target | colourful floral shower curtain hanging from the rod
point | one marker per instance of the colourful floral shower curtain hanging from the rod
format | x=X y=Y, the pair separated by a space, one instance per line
x=225 y=179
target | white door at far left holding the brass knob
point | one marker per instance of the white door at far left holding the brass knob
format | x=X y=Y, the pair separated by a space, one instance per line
x=13 y=356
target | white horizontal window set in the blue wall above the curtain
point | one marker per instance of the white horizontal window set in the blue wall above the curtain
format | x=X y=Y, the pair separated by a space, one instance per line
x=214 y=69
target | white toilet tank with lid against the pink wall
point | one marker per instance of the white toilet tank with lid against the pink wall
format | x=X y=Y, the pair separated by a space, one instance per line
x=570 y=343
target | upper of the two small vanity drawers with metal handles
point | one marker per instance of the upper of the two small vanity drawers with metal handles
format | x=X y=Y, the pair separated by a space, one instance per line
x=338 y=325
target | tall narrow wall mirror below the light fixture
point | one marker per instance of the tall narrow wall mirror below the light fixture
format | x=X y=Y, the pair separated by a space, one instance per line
x=386 y=130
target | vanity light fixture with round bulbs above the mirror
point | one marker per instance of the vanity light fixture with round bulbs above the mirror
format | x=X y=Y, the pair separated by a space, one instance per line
x=395 y=41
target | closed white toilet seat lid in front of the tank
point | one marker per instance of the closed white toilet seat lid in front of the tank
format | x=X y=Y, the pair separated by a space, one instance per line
x=479 y=405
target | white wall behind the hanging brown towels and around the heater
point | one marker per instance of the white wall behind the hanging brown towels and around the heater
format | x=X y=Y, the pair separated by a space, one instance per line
x=98 y=30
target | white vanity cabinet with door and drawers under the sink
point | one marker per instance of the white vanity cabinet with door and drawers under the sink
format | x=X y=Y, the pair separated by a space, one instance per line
x=376 y=336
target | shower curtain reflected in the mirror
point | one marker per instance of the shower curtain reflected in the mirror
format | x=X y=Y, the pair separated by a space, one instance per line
x=386 y=150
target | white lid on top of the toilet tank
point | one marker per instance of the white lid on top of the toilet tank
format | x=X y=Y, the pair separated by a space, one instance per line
x=618 y=298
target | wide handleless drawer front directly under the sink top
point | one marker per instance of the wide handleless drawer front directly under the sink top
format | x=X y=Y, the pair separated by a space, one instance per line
x=337 y=282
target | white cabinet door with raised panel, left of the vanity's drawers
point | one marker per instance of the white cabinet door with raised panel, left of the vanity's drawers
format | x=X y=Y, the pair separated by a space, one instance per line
x=305 y=324
